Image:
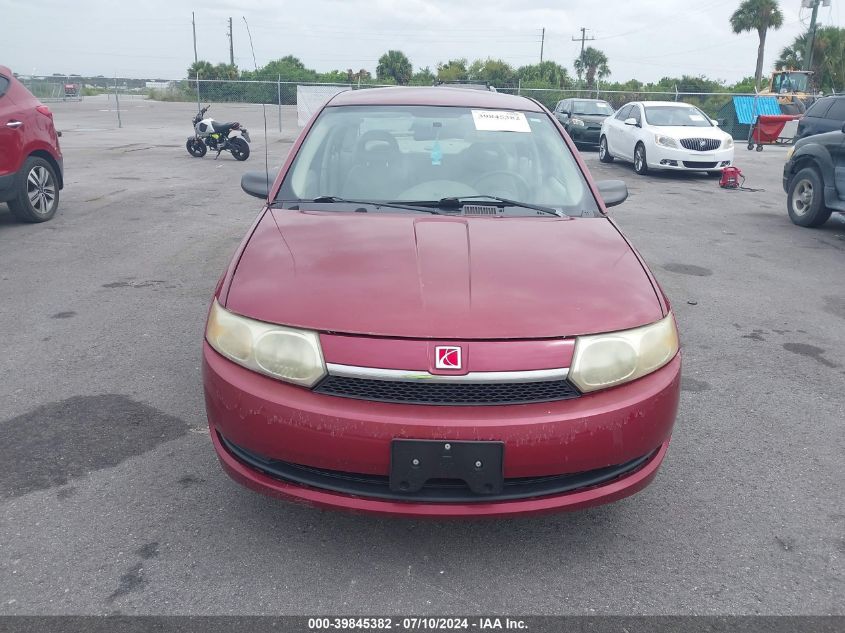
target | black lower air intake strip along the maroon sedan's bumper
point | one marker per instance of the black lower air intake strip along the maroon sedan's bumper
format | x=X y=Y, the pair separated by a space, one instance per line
x=436 y=490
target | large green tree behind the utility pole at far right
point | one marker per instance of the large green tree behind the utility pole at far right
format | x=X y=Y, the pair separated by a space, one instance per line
x=828 y=57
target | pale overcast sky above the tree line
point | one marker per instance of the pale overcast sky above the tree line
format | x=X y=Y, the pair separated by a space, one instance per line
x=643 y=39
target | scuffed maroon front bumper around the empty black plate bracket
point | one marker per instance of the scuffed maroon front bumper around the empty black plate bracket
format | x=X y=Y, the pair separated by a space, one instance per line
x=297 y=427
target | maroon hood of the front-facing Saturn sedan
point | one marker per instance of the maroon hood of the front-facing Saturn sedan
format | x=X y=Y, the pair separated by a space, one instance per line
x=441 y=277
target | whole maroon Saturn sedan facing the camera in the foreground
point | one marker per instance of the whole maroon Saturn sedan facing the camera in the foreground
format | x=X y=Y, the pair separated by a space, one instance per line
x=433 y=316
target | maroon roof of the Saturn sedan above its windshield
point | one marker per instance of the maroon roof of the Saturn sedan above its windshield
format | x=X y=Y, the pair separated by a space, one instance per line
x=435 y=96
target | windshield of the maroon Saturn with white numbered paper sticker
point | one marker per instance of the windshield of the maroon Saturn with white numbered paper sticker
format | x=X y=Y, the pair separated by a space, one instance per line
x=427 y=153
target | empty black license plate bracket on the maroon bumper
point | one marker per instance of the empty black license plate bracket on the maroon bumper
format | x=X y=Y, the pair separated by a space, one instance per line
x=479 y=464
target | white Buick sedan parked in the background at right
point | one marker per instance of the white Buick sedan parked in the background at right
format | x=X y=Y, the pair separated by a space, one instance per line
x=665 y=135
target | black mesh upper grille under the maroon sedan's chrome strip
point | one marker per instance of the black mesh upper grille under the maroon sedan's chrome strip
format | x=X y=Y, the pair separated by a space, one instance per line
x=444 y=393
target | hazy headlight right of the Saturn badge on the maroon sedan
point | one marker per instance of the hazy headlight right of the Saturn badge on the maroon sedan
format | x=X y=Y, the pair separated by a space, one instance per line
x=606 y=360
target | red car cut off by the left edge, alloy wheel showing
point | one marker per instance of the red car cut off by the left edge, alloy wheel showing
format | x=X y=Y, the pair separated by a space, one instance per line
x=31 y=168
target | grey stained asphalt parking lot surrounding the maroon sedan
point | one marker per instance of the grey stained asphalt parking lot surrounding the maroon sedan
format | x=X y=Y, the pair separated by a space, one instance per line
x=111 y=498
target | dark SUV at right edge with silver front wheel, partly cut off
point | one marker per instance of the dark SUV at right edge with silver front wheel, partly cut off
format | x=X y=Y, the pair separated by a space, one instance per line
x=814 y=178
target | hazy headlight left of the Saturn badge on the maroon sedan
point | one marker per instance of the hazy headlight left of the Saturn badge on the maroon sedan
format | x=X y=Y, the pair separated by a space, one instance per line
x=277 y=351
